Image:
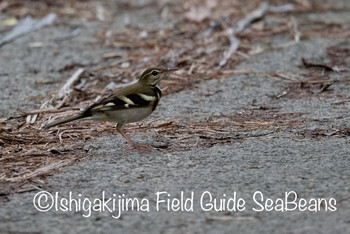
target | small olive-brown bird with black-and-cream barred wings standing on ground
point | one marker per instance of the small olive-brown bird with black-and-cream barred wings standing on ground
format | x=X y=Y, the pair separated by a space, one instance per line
x=132 y=103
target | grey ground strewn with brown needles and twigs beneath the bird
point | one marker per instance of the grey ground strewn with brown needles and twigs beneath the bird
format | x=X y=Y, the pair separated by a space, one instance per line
x=271 y=117
